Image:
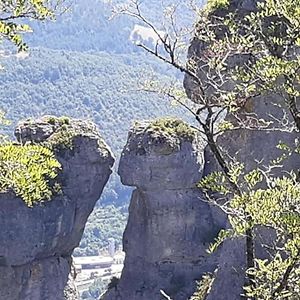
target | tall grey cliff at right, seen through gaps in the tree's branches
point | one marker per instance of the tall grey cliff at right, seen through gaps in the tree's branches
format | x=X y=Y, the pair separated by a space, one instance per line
x=254 y=148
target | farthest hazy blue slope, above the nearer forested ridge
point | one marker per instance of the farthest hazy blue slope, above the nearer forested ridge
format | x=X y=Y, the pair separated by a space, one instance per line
x=92 y=20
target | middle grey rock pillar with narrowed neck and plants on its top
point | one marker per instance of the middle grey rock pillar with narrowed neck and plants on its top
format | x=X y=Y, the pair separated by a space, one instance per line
x=169 y=226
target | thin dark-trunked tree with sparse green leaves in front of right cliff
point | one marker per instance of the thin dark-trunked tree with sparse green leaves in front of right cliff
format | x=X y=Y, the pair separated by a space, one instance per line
x=245 y=55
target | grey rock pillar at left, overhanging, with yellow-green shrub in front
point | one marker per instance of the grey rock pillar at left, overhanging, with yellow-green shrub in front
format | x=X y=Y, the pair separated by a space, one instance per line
x=37 y=243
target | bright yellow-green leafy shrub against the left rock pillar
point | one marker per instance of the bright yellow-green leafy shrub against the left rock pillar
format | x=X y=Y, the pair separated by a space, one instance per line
x=30 y=171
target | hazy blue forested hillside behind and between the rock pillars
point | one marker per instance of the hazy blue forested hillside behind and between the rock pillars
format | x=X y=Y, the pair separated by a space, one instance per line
x=84 y=65
